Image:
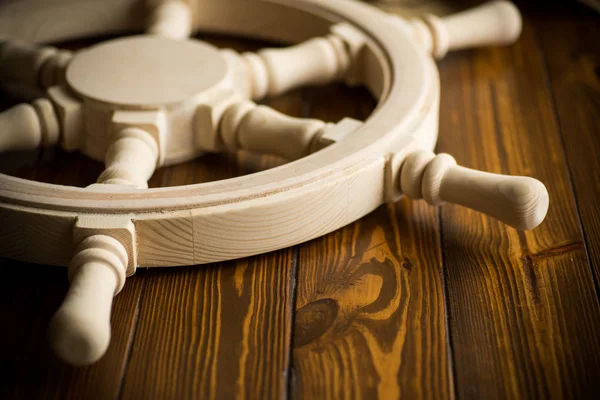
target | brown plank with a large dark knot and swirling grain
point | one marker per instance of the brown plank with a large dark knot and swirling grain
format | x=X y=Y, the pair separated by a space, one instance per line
x=369 y=313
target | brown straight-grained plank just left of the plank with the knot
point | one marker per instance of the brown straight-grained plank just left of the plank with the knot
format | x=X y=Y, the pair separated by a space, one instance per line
x=218 y=331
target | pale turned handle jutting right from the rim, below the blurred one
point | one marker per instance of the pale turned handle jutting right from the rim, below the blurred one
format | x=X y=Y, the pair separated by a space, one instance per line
x=518 y=201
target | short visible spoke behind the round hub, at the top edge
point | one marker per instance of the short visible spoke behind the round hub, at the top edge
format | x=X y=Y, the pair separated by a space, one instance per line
x=170 y=18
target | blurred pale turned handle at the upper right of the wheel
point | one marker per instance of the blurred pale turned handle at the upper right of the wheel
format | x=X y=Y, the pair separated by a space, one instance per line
x=494 y=23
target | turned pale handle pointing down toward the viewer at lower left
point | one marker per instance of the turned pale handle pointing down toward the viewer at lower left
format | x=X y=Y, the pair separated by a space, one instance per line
x=80 y=329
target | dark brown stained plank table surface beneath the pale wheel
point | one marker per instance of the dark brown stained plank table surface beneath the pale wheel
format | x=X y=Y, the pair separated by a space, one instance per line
x=409 y=301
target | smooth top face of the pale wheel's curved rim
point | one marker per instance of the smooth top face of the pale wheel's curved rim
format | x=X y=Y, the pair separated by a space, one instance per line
x=393 y=122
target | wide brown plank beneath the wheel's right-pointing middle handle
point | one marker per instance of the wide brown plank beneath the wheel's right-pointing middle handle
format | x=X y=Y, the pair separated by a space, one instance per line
x=522 y=307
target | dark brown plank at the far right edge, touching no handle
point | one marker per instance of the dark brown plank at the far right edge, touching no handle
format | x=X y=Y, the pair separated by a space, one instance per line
x=572 y=53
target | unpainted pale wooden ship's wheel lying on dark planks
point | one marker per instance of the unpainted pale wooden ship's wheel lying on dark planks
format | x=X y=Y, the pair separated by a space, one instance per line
x=145 y=101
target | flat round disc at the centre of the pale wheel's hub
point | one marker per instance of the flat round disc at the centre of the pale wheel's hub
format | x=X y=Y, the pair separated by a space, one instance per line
x=146 y=71
